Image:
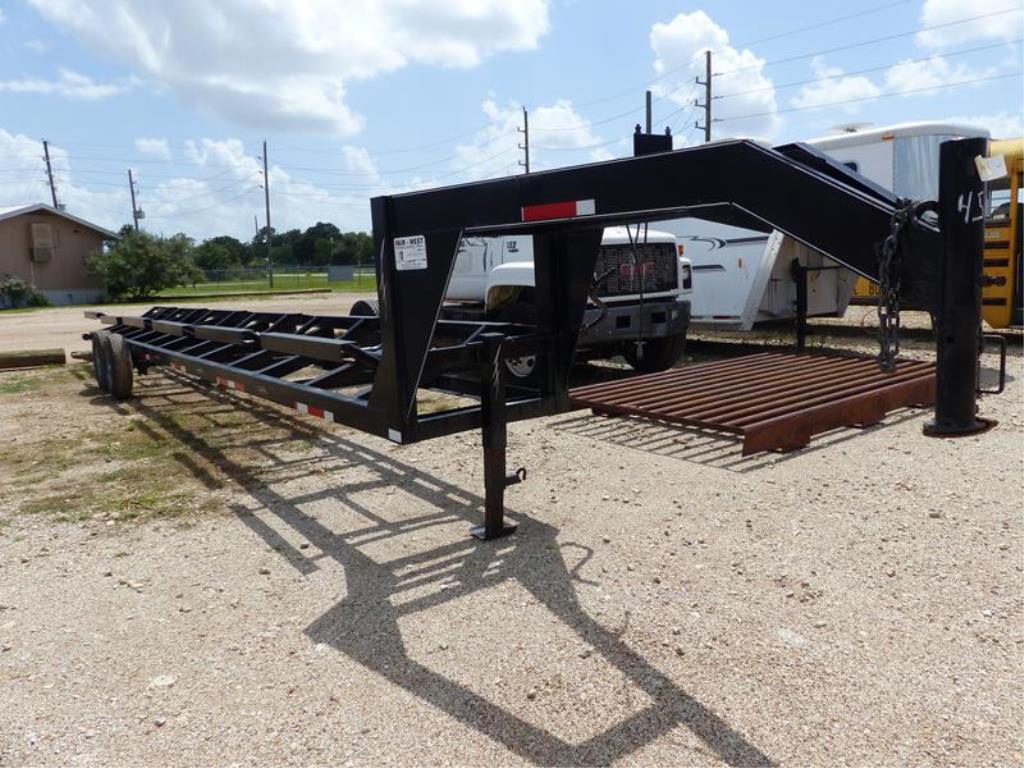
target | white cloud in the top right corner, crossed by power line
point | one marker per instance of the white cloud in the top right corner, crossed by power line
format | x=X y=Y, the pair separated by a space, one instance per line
x=937 y=13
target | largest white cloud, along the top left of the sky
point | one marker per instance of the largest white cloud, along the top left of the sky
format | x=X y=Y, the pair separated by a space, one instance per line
x=286 y=66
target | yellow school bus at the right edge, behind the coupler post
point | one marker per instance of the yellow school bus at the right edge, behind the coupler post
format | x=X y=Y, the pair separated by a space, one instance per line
x=1002 y=300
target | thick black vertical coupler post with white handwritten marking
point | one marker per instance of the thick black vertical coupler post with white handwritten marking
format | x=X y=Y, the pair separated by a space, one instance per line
x=962 y=221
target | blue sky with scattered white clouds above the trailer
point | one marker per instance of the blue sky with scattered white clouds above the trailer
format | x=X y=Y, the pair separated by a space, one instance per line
x=365 y=98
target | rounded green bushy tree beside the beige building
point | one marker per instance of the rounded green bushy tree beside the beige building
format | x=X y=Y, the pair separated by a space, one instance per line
x=141 y=265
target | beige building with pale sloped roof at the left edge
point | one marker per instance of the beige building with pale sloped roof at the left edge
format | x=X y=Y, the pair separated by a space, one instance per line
x=48 y=248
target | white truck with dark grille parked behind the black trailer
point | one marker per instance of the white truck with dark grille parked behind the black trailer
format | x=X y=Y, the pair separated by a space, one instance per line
x=639 y=303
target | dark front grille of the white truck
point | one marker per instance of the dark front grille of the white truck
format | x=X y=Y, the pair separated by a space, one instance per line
x=656 y=270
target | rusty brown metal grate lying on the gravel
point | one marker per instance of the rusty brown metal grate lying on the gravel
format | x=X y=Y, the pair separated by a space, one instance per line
x=776 y=401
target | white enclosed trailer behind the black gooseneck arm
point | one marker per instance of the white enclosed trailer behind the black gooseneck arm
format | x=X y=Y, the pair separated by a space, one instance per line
x=743 y=277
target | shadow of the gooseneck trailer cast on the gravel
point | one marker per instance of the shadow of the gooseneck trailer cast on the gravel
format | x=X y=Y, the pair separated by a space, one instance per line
x=366 y=624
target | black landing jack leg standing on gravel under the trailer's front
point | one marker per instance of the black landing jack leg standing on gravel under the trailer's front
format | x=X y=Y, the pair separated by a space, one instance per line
x=495 y=431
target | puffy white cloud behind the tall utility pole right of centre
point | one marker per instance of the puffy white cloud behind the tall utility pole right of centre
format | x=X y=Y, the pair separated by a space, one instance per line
x=679 y=50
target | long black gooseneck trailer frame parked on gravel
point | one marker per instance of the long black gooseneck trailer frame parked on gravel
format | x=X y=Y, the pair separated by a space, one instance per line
x=368 y=372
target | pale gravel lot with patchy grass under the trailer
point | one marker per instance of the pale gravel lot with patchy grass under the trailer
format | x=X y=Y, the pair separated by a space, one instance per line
x=195 y=578
